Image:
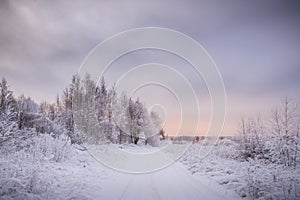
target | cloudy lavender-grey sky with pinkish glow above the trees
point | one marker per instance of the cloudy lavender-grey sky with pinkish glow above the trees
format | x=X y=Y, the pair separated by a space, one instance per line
x=255 y=45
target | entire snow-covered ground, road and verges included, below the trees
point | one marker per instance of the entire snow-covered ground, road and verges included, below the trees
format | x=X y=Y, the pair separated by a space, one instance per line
x=52 y=168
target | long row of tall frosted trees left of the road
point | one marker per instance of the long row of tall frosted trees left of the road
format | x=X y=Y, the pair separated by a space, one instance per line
x=85 y=112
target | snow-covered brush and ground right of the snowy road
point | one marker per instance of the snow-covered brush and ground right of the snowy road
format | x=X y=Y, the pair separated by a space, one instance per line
x=253 y=179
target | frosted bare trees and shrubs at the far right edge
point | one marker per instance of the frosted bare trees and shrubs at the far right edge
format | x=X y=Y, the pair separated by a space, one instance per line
x=276 y=140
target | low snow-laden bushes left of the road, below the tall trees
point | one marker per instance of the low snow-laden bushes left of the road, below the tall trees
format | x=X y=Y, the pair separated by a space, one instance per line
x=22 y=160
